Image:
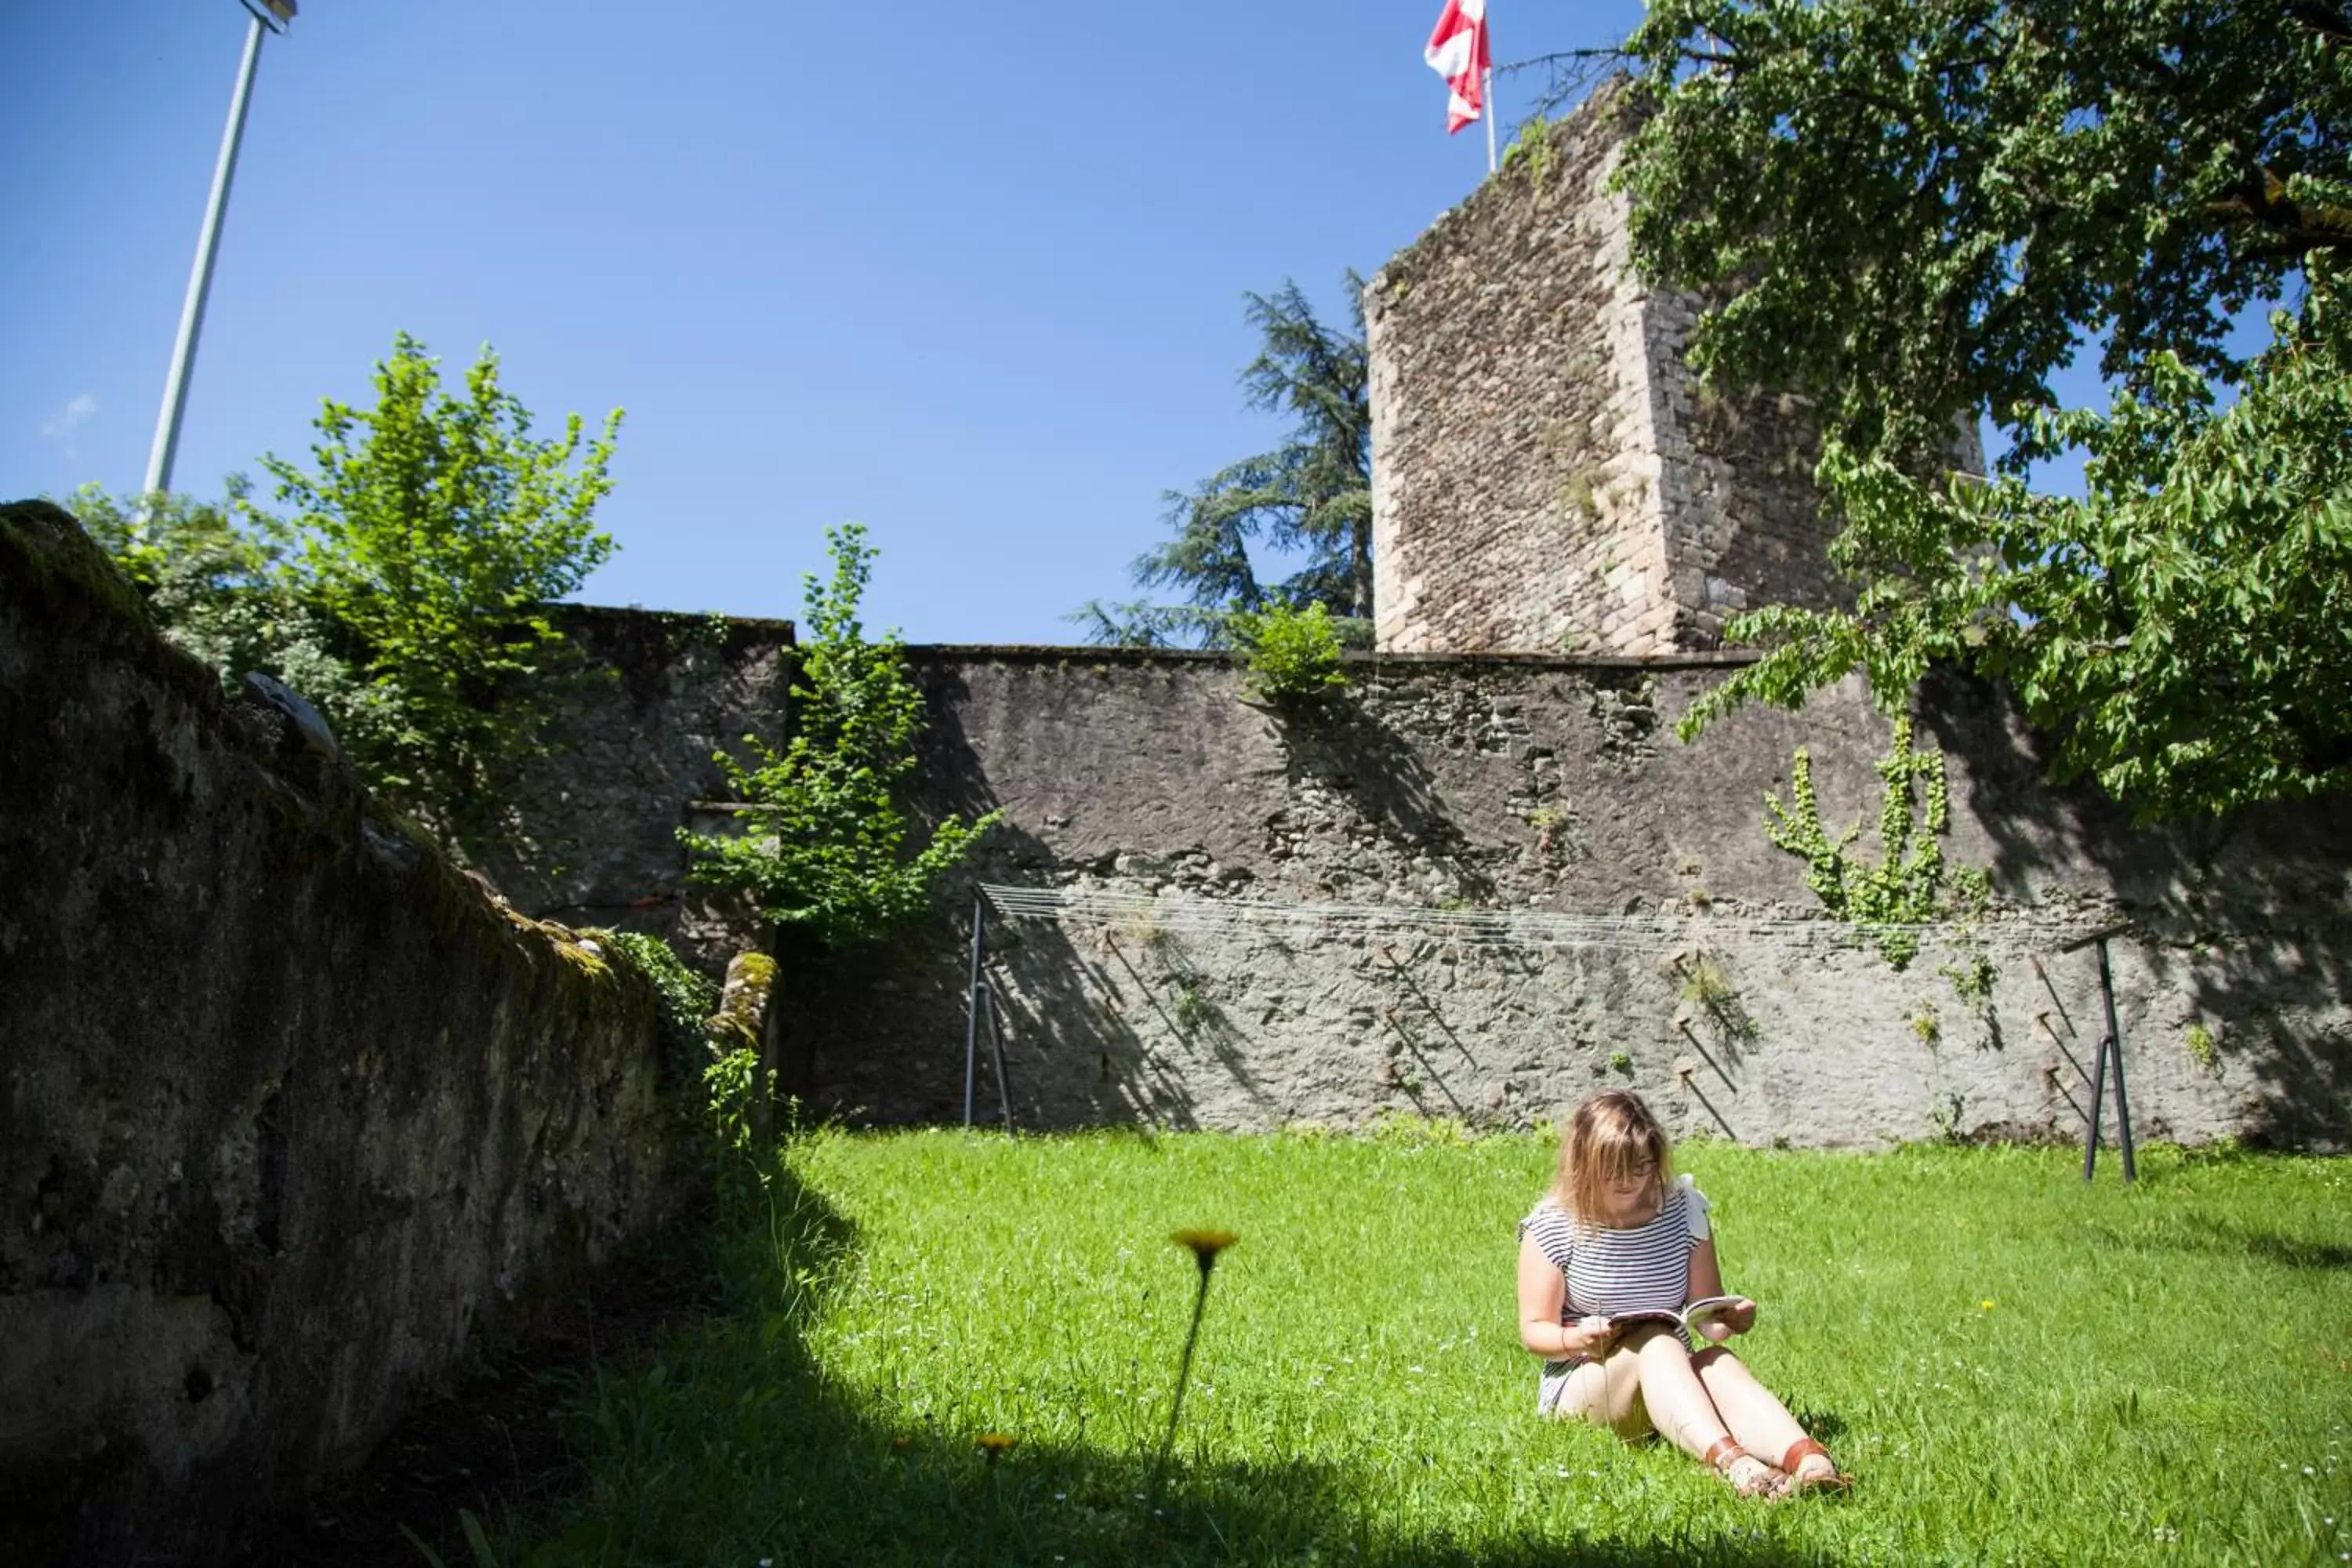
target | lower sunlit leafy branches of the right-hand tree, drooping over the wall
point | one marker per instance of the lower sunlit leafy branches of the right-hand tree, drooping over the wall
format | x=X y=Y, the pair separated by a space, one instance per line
x=2184 y=634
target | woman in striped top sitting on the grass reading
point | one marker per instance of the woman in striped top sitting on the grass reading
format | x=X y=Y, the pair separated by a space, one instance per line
x=1619 y=1235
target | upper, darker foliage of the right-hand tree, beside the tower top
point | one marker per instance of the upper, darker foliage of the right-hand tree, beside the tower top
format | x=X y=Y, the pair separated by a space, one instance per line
x=1925 y=206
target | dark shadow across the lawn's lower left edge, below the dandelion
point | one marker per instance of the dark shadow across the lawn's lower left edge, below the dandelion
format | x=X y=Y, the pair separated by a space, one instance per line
x=735 y=1447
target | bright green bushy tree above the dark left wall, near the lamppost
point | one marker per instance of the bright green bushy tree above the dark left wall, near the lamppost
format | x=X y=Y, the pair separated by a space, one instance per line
x=408 y=591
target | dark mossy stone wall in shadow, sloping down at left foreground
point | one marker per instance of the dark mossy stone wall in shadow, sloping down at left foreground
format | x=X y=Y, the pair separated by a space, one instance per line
x=290 y=1113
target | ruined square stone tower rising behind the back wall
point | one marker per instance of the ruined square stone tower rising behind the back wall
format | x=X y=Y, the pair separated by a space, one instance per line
x=1549 y=476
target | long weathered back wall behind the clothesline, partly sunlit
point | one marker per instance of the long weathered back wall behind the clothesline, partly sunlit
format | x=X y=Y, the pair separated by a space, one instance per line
x=1521 y=786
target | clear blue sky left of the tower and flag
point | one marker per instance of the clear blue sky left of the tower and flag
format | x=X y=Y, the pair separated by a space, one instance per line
x=965 y=274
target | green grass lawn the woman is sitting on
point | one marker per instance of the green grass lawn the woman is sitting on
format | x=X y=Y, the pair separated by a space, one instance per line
x=2017 y=1369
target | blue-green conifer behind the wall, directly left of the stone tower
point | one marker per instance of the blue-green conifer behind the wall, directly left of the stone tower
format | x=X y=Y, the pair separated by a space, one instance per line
x=1311 y=495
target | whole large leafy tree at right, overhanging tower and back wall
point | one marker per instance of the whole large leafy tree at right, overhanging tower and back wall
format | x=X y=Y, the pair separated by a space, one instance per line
x=1920 y=210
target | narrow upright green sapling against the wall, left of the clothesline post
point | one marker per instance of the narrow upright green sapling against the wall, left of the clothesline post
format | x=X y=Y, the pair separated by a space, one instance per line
x=829 y=852
